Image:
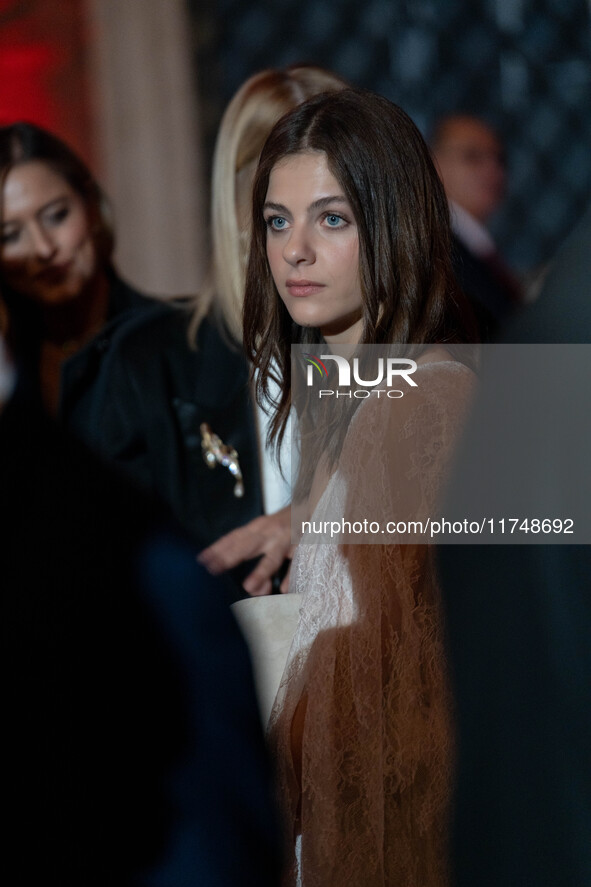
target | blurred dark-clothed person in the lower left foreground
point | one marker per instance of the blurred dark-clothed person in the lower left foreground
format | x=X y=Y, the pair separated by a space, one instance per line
x=133 y=748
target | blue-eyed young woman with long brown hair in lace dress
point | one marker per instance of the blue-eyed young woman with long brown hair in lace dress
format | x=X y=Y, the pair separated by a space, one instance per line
x=350 y=247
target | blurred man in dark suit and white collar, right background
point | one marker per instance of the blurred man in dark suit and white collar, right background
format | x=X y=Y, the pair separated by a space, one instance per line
x=472 y=165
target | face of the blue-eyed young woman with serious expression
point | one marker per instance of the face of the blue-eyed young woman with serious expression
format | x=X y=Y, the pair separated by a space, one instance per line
x=313 y=247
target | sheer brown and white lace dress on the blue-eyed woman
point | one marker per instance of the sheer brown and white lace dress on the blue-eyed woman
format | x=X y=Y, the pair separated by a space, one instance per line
x=367 y=661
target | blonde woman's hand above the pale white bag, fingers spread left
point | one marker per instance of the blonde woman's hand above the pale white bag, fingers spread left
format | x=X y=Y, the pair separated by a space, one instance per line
x=269 y=537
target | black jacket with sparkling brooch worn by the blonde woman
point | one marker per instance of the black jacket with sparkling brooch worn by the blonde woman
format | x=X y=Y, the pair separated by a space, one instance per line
x=155 y=392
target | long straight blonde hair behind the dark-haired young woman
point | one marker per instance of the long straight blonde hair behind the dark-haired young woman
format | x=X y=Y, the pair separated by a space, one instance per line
x=249 y=118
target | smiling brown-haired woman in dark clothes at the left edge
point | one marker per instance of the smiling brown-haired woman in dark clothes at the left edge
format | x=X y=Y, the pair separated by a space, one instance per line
x=62 y=299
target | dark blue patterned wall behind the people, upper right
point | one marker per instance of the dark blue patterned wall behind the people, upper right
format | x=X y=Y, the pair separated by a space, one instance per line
x=522 y=65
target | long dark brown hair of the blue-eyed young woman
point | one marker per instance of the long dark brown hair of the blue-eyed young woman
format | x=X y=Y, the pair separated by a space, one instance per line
x=385 y=169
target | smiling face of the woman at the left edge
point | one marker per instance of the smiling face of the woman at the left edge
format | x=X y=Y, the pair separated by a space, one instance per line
x=47 y=252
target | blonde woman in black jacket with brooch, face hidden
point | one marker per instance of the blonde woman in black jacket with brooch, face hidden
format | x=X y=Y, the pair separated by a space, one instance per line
x=177 y=388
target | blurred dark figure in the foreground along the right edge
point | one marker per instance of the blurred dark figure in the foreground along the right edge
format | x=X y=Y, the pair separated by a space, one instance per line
x=519 y=616
